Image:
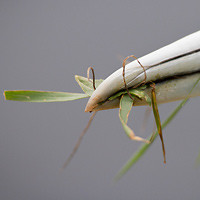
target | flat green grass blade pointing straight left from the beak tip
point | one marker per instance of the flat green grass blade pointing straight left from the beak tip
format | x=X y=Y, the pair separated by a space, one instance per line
x=41 y=96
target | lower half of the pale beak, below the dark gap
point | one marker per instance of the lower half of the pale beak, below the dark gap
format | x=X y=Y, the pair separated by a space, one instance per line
x=166 y=91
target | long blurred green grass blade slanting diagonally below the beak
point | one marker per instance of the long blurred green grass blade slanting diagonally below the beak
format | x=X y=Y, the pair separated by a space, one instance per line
x=144 y=147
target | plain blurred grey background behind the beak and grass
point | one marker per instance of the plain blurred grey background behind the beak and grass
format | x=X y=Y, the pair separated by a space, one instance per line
x=43 y=45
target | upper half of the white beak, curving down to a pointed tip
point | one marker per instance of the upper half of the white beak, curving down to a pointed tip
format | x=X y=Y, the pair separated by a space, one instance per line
x=179 y=58
